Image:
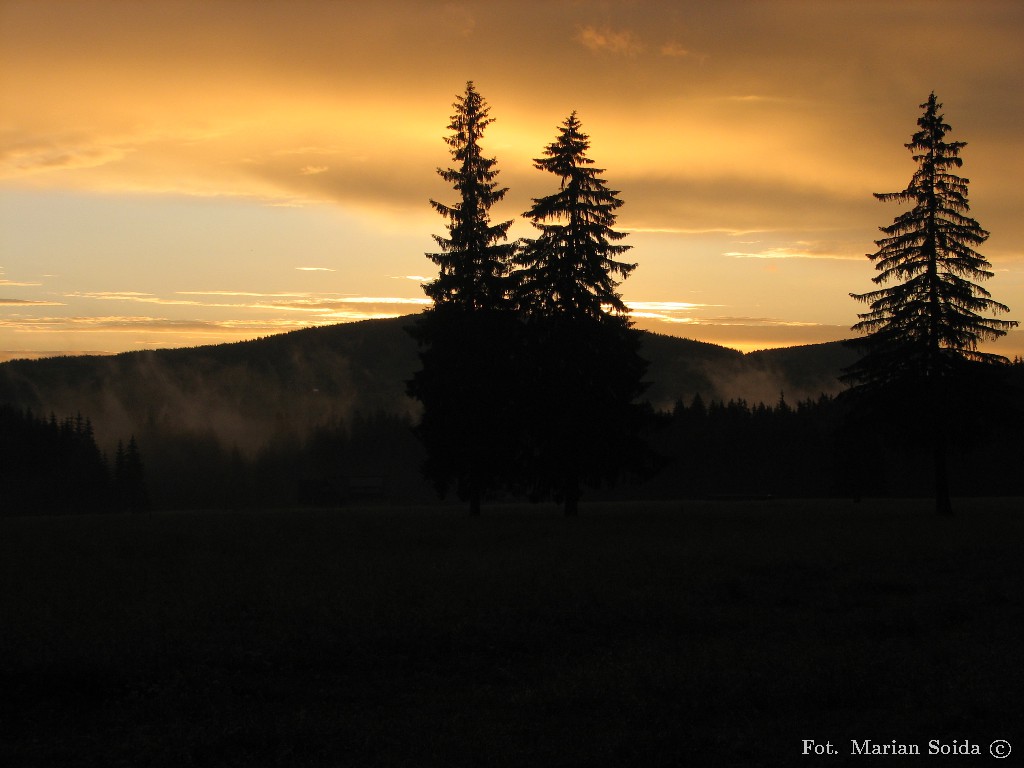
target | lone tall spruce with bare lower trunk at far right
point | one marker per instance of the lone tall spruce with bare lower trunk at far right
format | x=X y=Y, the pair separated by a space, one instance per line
x=921 y=352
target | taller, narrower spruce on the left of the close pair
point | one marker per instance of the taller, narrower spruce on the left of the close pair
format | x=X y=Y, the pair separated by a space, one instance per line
x=464 y=380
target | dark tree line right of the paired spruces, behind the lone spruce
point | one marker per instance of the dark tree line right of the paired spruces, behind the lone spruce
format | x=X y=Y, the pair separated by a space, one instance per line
x=818 y=449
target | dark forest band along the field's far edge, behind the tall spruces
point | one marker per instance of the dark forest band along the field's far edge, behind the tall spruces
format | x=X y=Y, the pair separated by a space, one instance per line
x=710 y=450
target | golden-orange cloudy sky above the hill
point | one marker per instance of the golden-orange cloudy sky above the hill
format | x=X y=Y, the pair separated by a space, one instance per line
x=193 y=173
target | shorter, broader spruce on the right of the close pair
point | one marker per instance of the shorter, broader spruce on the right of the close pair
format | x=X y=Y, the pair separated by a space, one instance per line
x=581 y=425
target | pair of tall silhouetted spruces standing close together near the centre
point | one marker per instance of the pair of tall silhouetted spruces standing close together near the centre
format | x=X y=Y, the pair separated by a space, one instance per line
x=531 y=368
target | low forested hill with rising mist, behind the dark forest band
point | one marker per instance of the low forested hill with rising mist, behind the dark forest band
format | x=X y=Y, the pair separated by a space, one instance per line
x=247 y=393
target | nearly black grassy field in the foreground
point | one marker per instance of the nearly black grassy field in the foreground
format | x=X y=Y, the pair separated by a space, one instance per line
x=705 y=634
